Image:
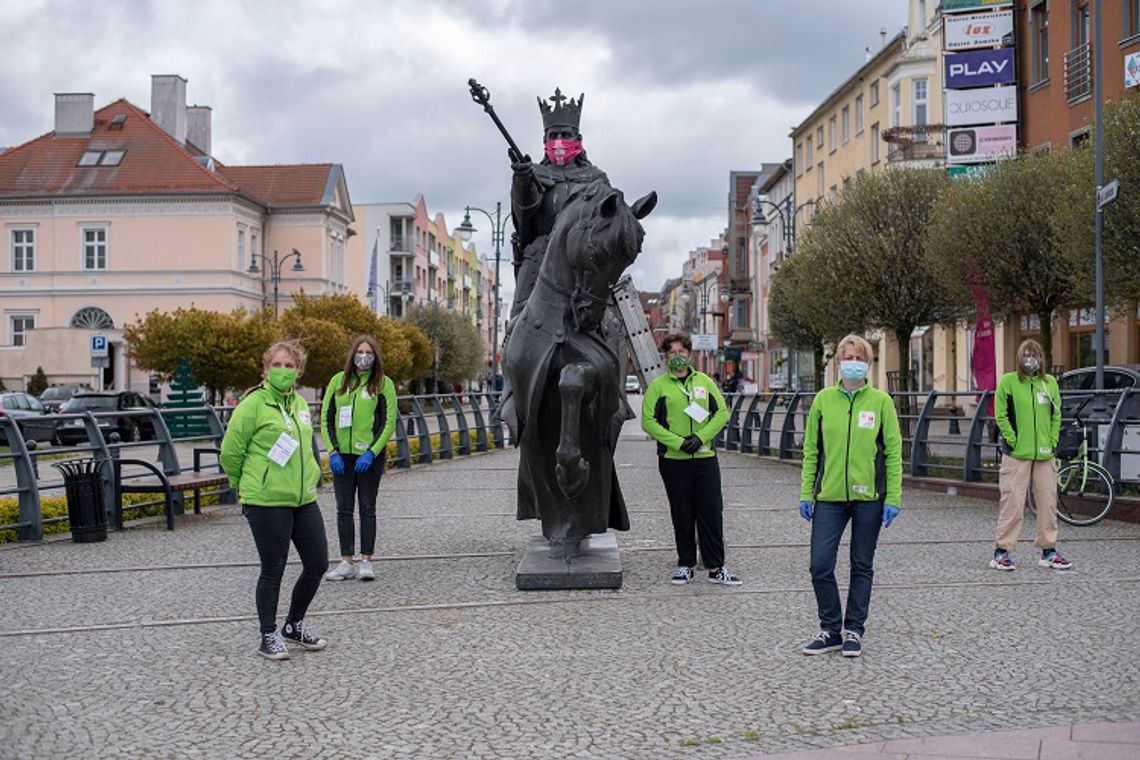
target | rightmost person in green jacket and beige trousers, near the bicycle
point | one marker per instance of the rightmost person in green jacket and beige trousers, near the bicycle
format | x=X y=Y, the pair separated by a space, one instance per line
x=1028 y=410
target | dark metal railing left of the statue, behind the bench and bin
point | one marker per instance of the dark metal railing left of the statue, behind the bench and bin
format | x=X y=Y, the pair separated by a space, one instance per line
x=428 y=428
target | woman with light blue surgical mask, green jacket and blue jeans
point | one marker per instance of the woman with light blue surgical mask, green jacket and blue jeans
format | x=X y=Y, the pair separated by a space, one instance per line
x=853 y=472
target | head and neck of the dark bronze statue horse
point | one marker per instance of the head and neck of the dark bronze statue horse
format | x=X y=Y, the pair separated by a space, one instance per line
x=595 y=240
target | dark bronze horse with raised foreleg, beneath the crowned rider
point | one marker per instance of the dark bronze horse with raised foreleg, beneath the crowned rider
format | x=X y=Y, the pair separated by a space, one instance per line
x=564 y=366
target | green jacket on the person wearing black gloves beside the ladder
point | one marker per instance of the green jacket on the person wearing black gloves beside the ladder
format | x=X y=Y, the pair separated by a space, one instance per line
x=665 y=420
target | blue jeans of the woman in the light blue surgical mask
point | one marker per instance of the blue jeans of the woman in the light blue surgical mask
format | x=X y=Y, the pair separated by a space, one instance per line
x=828 y=526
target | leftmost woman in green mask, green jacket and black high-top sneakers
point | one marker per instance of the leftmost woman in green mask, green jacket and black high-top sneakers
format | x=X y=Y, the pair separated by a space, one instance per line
x=267 y=454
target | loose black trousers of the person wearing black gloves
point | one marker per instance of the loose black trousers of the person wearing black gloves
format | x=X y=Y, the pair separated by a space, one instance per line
x=696 y=503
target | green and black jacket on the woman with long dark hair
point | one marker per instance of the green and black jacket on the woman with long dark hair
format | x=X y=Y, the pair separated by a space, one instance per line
x=372 y=421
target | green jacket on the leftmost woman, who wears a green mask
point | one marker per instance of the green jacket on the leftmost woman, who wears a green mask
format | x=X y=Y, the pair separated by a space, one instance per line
x=257 y=424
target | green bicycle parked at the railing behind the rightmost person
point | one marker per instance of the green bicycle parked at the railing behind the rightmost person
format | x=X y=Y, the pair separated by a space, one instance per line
x=1086 y=492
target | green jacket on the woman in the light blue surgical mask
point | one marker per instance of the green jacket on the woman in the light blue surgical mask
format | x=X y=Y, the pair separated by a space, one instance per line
x=853 y=451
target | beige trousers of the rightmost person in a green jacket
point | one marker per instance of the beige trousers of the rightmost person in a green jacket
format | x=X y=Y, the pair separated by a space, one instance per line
x=1014 y=485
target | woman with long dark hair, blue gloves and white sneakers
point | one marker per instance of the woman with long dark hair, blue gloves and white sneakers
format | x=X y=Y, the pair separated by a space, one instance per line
x=357 y=419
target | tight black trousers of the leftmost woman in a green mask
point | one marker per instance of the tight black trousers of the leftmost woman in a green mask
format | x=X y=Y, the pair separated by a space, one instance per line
x=273 y=529
